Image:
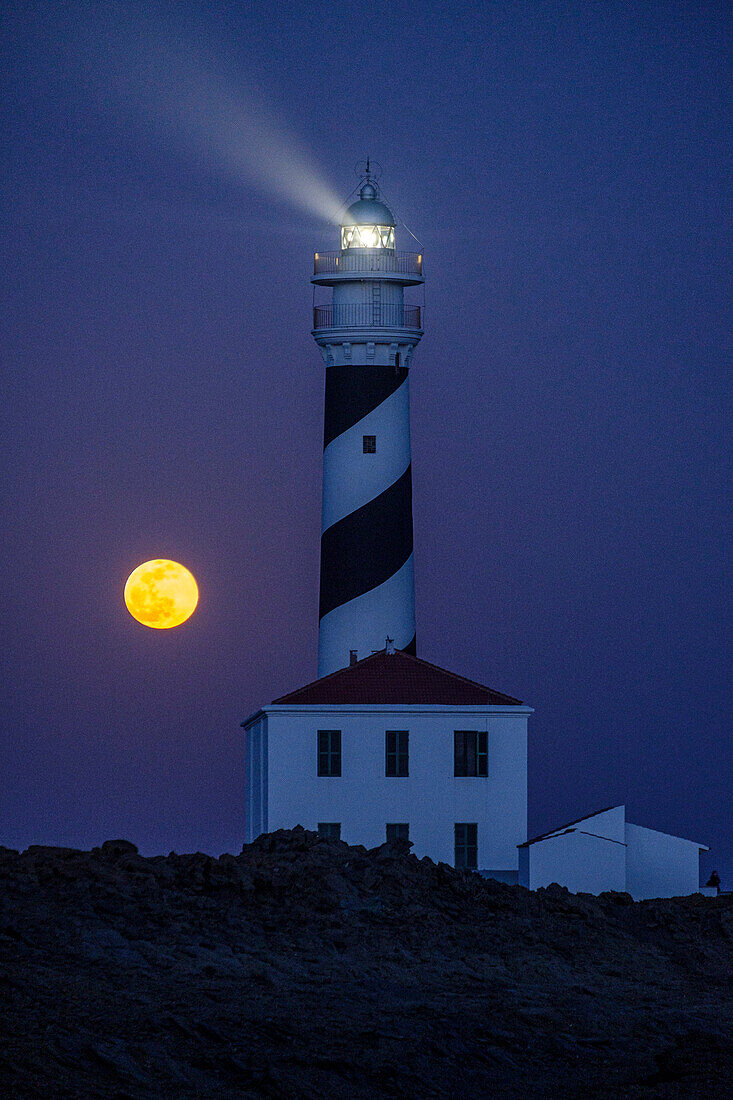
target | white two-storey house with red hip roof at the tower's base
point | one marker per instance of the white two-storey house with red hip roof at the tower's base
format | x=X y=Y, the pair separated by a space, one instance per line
x=393 y=746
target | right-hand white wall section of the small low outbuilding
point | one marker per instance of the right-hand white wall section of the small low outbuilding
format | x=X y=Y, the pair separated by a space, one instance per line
x=661 y=866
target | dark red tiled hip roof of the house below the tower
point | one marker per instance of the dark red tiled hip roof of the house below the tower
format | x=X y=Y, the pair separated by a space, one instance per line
x=397 y=678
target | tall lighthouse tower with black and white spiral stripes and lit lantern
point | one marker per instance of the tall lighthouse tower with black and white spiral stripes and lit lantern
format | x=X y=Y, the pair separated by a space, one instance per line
x=367 y=336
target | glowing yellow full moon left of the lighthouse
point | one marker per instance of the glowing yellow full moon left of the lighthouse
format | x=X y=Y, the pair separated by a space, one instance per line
x=161 y=593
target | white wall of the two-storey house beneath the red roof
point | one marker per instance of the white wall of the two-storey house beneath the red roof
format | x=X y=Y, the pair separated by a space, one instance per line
x=432 y=800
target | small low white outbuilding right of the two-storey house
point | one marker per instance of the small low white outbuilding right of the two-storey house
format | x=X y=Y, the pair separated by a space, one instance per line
x=605 y=852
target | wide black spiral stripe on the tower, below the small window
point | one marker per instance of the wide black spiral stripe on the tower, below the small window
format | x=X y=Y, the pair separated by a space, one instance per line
x=368 y=547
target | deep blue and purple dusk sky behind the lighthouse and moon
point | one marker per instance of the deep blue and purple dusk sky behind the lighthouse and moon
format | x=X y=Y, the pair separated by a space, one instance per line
x=168 y=173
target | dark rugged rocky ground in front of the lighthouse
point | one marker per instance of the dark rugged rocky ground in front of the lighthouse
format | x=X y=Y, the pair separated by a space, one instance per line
x=308 y=969
